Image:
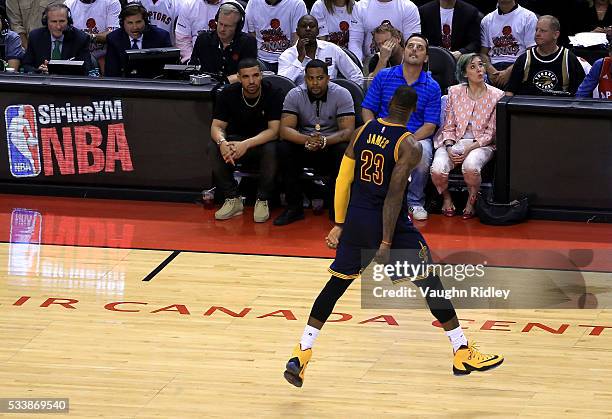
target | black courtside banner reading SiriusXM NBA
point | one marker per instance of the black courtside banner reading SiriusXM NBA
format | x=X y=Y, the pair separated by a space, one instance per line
x=79 y=140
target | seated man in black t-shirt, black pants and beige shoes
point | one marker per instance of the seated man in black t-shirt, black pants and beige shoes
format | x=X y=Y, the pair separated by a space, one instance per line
x=245 y=127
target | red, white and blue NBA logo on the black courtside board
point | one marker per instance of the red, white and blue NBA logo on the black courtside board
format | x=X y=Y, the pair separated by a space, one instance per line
x=23 y=148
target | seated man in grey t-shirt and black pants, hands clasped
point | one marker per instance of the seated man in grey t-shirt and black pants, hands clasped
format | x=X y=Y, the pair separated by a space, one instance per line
x=316 y=124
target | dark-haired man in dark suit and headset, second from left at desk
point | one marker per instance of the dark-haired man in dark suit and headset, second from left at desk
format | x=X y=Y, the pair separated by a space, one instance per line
x=135 y=32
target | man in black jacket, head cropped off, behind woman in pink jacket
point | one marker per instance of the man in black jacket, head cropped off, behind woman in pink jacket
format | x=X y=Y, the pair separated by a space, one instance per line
x=451 y=24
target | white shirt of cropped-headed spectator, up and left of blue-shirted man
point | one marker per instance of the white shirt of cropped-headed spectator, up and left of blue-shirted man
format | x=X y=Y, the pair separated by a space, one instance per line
x=402 y=14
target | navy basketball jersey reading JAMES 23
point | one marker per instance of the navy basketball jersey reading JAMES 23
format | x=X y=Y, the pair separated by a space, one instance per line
x=376 y=152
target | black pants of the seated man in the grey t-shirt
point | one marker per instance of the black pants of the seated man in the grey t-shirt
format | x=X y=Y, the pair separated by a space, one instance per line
x=294 y=158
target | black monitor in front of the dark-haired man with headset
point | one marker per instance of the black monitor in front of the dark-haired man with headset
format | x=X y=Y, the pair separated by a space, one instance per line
x=149 y=63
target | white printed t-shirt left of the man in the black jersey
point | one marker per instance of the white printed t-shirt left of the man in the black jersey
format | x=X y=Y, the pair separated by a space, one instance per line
x=508 y=35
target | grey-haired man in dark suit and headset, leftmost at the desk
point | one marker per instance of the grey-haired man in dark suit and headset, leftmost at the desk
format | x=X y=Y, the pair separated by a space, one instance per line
x=56 y=40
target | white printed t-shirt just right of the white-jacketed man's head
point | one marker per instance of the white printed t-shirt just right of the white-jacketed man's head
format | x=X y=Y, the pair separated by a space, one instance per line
x=336 y=26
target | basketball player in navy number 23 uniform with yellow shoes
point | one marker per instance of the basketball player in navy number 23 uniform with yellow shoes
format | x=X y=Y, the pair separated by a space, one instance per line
x=376 y=216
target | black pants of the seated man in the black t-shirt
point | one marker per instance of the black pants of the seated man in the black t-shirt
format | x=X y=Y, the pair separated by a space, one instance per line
x=262 y=157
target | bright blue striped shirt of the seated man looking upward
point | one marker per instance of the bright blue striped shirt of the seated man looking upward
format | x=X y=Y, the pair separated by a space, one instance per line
x=388 y=80
